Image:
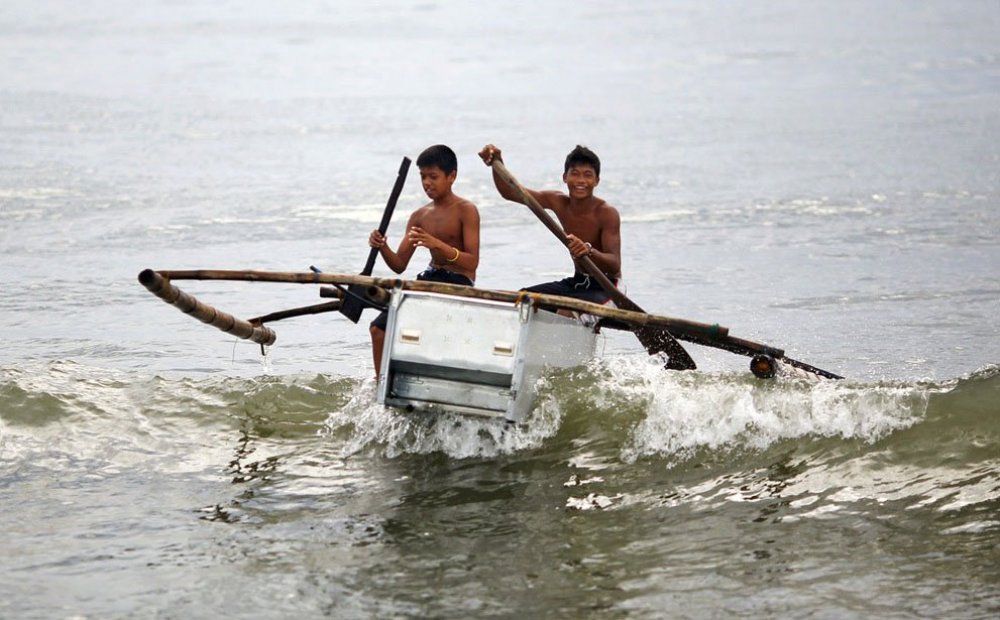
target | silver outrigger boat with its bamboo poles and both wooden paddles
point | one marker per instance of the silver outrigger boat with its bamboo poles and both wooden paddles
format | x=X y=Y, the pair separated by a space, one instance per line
x=465 y=350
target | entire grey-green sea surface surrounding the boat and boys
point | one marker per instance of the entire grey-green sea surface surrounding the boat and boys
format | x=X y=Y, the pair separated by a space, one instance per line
x=807 y=176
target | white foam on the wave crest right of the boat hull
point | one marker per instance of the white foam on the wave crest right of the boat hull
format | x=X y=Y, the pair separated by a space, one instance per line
x=688 y=411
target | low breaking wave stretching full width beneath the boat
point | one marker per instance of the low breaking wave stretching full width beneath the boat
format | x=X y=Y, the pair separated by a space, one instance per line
x=626 y=408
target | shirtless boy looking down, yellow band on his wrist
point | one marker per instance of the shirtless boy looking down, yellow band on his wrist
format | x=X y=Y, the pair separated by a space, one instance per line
x=448 y=226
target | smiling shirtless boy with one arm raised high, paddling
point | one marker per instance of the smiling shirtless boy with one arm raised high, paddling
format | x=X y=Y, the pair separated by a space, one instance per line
x=592 y=225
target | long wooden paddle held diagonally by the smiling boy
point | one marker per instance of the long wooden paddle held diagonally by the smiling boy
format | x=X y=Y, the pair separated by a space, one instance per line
x=655 y=340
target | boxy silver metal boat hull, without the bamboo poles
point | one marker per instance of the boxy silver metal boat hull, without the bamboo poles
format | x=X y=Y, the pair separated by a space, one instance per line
x=474 y=356
